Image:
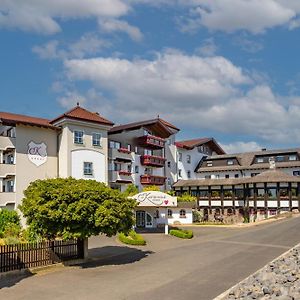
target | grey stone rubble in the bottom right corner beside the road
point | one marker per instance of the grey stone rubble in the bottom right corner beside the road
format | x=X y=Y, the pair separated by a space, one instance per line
x=279 y=280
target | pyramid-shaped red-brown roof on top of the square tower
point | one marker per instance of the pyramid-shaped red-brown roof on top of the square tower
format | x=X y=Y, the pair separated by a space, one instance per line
x=79 y=113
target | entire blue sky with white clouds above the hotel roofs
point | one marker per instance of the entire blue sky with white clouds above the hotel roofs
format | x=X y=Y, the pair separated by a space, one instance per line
x=222 y=68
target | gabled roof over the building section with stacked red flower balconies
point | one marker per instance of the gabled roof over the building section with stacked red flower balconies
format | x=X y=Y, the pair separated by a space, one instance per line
x=155 y=125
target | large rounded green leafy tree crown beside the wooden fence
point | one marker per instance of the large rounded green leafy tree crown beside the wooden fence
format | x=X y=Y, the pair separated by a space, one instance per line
x=71 y=208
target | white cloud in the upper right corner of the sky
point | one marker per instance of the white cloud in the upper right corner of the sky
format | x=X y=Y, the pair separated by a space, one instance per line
x=254 y=16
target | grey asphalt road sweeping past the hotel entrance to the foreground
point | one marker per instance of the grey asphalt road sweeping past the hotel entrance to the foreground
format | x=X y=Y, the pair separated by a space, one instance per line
x=167 y=268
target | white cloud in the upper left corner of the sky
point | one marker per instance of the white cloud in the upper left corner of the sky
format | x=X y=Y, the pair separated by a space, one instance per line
x=41 y=15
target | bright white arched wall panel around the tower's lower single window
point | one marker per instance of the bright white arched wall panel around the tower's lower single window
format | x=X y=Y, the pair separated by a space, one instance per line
x=78 y=157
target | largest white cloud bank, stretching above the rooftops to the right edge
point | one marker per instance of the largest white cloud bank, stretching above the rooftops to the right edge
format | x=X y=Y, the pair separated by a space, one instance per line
x=206 y=93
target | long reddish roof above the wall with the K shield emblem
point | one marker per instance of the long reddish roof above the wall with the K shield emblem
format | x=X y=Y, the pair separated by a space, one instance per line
x=13 y=119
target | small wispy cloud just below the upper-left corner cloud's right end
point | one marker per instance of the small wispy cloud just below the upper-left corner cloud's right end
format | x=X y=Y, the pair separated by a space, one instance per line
x=113 y=25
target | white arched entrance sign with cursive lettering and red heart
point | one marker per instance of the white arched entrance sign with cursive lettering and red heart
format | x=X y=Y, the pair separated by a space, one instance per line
x=157 y=199
